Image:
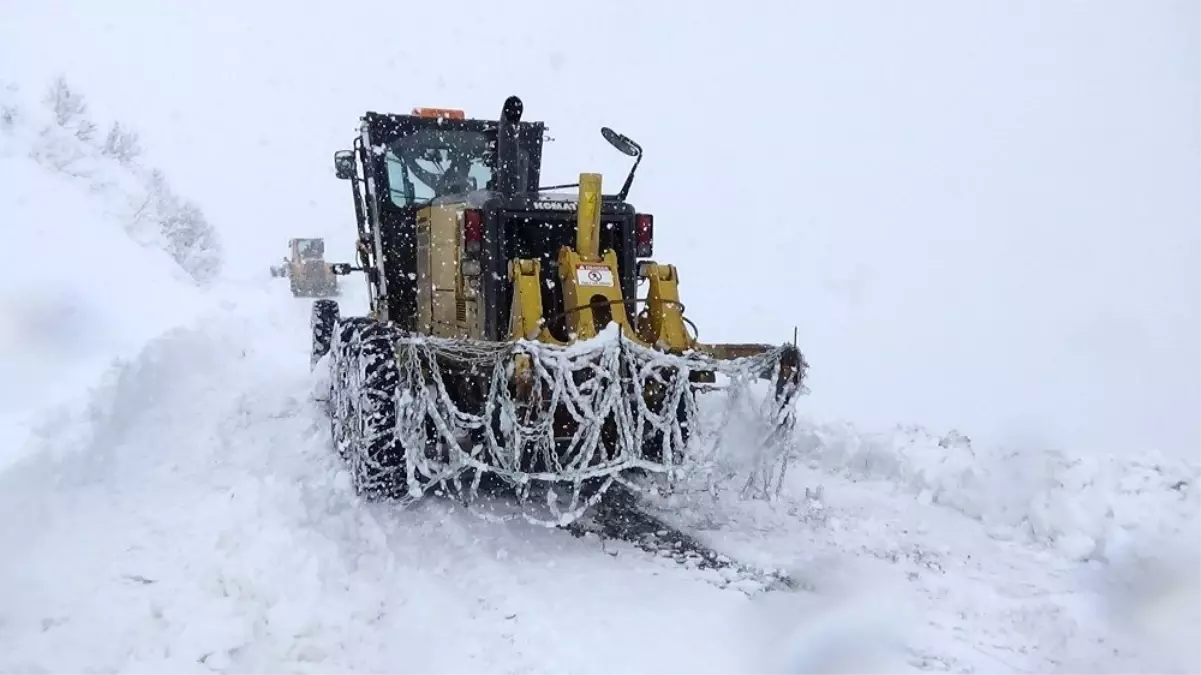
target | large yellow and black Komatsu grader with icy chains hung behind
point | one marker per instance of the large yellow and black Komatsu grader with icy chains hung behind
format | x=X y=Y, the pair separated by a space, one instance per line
x=505 y=336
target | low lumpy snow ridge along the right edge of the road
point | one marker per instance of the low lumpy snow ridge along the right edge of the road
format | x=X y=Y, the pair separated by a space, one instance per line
x=1090 y=509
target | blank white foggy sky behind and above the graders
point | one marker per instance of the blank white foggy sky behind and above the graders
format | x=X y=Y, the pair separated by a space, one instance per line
x=977 y=216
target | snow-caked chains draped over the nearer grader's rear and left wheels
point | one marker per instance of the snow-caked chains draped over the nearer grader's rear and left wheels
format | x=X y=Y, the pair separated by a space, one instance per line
x=597 y=384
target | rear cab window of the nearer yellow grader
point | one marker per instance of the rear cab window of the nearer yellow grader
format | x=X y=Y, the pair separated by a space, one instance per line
x=433 y=163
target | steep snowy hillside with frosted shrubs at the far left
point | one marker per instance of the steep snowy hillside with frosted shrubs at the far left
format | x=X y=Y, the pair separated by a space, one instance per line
x=101 y=254
